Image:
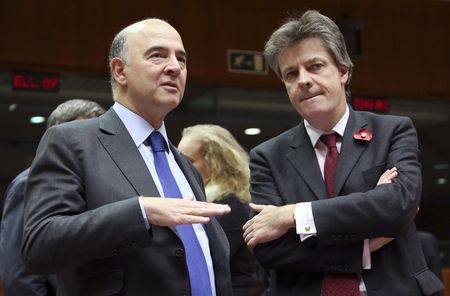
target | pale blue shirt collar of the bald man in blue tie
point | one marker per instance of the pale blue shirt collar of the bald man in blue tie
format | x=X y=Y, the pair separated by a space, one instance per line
x=138 y=128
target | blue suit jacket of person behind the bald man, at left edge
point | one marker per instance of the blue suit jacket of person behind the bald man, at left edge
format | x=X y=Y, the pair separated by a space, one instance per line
x=17 y=279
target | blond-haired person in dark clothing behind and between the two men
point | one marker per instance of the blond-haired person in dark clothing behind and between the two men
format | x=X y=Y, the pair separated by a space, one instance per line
x=223 y=164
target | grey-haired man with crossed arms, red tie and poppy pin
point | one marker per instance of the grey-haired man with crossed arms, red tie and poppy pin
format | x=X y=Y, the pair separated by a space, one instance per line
x=356 y=238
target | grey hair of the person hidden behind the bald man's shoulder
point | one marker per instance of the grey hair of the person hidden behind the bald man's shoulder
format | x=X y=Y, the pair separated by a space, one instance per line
x=74 y=109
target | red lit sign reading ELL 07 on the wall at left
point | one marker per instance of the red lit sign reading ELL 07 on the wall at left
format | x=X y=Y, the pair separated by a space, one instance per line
x=35 y=81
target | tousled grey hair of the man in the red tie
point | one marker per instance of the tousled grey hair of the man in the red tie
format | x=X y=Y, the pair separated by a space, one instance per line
x=310 y=24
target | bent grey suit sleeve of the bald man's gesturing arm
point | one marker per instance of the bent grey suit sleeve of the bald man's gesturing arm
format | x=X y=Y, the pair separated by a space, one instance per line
x=61 y=228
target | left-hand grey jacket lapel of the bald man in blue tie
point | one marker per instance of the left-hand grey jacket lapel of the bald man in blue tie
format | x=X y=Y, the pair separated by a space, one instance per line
x=120 y=146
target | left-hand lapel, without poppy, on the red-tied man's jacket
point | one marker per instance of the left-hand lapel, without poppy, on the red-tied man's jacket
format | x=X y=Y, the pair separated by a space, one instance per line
x=303 y=159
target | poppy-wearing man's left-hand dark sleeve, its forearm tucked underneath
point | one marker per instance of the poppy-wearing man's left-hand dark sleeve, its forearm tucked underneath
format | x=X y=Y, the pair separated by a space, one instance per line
x=288 y=252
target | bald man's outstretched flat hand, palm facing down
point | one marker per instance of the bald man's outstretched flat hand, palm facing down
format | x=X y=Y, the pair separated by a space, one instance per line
x=174 y=211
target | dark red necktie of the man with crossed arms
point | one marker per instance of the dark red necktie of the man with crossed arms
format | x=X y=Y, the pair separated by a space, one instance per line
x=335 y=284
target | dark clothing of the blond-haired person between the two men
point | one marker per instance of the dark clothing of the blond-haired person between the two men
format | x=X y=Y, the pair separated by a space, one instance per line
x=246 y=276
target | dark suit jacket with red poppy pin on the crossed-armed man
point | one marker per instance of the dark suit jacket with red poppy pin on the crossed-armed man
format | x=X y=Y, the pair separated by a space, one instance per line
x=284 y=170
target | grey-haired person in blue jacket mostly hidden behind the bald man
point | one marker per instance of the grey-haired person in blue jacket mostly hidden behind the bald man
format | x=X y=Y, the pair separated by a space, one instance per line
x=17 y=279
